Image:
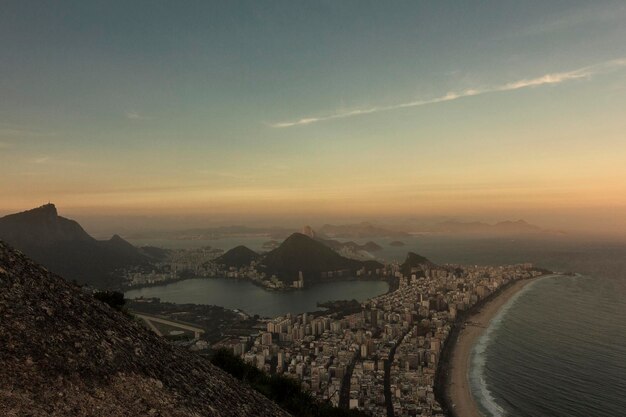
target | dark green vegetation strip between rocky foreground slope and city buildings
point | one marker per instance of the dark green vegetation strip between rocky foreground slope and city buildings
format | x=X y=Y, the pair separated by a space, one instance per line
x=284 y=391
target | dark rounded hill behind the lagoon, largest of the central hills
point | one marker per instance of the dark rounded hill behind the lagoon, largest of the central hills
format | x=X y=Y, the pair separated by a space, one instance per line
x=301 y=253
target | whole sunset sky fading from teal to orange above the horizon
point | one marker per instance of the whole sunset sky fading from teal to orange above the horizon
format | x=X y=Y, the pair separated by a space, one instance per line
x=325 y=110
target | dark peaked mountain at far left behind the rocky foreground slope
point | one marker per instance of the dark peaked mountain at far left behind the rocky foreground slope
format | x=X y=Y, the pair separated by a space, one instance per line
x=64 y=247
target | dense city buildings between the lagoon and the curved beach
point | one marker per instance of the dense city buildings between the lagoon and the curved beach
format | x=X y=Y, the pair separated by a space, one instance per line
x=395 y=341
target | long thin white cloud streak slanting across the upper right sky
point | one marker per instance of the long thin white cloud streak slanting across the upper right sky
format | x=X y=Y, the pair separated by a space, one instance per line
x=547 y=79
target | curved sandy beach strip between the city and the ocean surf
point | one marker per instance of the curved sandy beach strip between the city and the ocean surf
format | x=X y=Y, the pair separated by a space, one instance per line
x=458 y=388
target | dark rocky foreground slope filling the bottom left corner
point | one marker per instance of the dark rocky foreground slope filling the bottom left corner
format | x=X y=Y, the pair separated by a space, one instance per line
x=65 y=353
